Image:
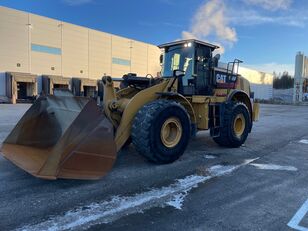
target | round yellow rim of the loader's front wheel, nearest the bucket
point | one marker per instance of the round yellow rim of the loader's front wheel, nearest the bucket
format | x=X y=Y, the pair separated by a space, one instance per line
x=171 y=132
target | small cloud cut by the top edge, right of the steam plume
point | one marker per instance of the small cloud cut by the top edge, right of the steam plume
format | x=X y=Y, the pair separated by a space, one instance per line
x=271 y=5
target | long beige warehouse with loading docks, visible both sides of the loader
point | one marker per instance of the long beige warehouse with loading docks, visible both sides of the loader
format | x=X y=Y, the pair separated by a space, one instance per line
x=39 y=54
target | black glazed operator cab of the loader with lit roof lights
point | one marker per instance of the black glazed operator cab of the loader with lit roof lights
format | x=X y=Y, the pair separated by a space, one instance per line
x=195 y=59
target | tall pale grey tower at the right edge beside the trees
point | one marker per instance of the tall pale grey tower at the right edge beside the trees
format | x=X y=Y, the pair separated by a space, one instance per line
x=300 y=91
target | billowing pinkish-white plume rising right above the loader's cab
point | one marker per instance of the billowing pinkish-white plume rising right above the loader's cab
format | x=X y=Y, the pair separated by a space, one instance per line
x=210 y=21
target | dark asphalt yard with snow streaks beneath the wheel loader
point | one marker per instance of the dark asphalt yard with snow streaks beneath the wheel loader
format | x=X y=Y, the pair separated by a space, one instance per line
x=260 y=186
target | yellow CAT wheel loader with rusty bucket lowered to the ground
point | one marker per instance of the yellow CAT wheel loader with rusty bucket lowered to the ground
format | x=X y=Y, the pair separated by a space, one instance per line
x=72 y=137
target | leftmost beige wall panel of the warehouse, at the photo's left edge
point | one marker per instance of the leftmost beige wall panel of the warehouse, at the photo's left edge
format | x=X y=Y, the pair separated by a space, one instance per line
x=14 y=45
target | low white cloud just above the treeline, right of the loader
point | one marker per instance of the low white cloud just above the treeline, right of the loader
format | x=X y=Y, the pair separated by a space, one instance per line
x=271 y=67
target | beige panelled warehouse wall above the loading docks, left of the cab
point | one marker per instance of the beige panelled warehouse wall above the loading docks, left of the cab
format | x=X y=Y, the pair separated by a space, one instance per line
x=40 y=45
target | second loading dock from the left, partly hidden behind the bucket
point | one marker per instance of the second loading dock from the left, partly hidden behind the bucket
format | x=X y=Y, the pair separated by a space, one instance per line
x=51 y=82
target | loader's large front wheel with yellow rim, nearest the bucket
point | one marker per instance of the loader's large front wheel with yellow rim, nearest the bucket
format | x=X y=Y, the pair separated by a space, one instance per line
x=161 y=131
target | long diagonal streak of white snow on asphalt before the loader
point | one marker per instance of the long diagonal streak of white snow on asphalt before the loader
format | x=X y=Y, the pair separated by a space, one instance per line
x=110 y=210
